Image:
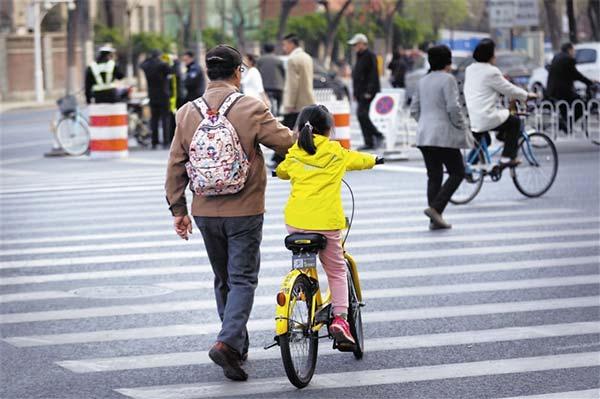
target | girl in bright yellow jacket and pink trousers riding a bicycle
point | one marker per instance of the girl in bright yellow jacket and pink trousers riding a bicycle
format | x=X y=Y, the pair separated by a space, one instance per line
x=315 y=166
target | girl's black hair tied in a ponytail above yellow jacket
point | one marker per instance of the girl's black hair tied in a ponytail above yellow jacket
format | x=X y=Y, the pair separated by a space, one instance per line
x=313 y=119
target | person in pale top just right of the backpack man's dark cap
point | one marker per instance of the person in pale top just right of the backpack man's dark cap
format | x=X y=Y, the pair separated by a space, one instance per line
x=272 y=72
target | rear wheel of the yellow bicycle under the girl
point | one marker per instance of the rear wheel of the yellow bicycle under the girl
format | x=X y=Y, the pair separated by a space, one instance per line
x=300 y=344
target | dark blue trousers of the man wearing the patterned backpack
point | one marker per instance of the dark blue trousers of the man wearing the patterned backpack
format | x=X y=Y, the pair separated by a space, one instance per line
x=233 y=248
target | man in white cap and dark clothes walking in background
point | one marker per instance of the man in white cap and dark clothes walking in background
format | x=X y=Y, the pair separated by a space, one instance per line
x=365 y=84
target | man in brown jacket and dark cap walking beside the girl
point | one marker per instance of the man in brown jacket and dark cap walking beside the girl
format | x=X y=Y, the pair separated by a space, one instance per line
x=231 y=225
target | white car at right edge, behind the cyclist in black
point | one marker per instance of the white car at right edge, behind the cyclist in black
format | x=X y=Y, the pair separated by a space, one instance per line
x=587 y=57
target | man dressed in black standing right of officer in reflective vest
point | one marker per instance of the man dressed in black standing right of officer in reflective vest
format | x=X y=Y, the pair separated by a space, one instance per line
x=157 y=73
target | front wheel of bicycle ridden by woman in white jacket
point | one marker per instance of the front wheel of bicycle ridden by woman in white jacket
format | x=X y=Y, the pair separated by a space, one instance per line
x=539 y=165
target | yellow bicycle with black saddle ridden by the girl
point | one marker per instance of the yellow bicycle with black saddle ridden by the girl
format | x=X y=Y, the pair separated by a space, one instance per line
x=302 y=311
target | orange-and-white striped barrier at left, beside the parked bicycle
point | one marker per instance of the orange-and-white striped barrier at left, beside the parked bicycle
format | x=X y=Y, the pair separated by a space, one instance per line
x=108 y=130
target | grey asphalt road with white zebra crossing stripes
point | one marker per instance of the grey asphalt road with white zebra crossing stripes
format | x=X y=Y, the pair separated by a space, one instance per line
x=100 y=299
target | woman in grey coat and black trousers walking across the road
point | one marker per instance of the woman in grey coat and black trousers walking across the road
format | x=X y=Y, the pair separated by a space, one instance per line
x=442 y=132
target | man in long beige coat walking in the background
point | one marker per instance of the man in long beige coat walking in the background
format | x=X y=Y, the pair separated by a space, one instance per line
x=298 y=89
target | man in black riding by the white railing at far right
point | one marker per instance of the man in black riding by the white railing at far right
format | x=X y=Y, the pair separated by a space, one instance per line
x=561 y=78
